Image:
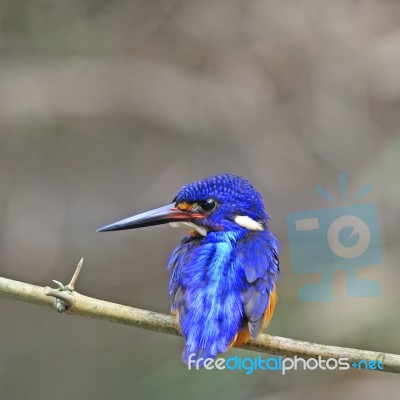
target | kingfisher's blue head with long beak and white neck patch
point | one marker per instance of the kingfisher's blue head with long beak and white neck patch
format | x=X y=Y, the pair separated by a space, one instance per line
x=218 y=203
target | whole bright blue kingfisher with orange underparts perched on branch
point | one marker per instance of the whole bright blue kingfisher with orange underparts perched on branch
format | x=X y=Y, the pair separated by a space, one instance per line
x=224 y=272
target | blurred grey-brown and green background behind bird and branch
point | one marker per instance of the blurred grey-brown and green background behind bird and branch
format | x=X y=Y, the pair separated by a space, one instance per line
x=108 y=107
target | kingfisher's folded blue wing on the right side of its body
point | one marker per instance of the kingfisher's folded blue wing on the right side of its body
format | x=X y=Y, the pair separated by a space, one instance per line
x=258 y=256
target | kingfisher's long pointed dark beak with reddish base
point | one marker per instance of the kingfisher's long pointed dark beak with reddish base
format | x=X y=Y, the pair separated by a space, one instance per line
x=158 y=216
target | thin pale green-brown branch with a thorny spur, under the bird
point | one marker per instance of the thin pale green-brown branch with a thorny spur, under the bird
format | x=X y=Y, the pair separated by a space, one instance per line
x=65 y=299
